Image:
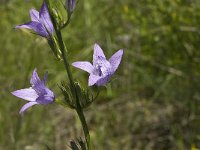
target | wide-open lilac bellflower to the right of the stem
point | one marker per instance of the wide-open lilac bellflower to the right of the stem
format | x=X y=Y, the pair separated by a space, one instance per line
x=102 y=69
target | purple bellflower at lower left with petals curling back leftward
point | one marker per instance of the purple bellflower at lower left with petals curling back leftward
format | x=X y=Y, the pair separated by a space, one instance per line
x=38 y=93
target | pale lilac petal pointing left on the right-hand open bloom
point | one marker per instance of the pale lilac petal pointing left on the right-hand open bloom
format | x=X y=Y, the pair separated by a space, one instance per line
x=84 y=65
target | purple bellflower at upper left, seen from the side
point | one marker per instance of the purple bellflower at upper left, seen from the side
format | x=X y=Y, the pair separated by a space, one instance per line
x=40 y=22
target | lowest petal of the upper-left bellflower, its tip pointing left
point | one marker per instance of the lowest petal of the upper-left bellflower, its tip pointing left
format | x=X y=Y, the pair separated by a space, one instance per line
x=37 y=27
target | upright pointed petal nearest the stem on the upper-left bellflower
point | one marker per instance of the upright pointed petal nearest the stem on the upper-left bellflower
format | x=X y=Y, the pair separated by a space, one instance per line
x=45 y=18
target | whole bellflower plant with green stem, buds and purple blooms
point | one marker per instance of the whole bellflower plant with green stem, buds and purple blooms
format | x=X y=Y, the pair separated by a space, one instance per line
x=48 y=23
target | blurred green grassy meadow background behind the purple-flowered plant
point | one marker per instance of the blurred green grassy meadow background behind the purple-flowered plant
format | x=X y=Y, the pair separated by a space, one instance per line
x=153 y=100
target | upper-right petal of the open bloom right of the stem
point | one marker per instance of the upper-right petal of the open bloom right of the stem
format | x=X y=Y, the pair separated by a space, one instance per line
x=116 y=59
